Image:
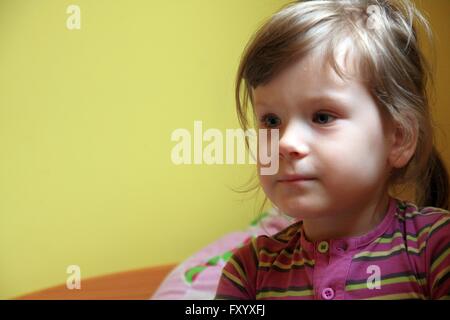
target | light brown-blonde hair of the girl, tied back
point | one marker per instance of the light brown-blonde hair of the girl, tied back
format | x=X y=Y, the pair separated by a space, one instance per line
x=384 y=37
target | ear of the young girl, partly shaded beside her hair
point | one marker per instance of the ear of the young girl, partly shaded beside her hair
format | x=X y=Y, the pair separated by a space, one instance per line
x=402 y=146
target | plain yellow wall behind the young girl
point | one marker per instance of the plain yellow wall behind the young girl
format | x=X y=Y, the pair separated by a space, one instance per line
x=86 y=117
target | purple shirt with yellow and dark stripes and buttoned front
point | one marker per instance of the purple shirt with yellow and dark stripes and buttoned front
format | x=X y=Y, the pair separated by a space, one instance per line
x=407 y=256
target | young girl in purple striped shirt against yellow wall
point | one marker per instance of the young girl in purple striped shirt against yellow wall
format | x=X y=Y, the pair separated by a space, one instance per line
x=344 y=83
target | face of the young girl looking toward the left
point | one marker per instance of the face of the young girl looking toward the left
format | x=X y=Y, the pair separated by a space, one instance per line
x=333 y=141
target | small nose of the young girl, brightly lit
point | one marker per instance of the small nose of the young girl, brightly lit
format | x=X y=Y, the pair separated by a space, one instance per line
x=293 y=143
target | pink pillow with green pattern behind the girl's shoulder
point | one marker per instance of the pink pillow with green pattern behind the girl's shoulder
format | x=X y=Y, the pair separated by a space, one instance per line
x=197 y=277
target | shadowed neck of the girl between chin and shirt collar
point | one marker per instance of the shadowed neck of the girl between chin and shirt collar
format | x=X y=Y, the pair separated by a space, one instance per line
x=354 y=222
